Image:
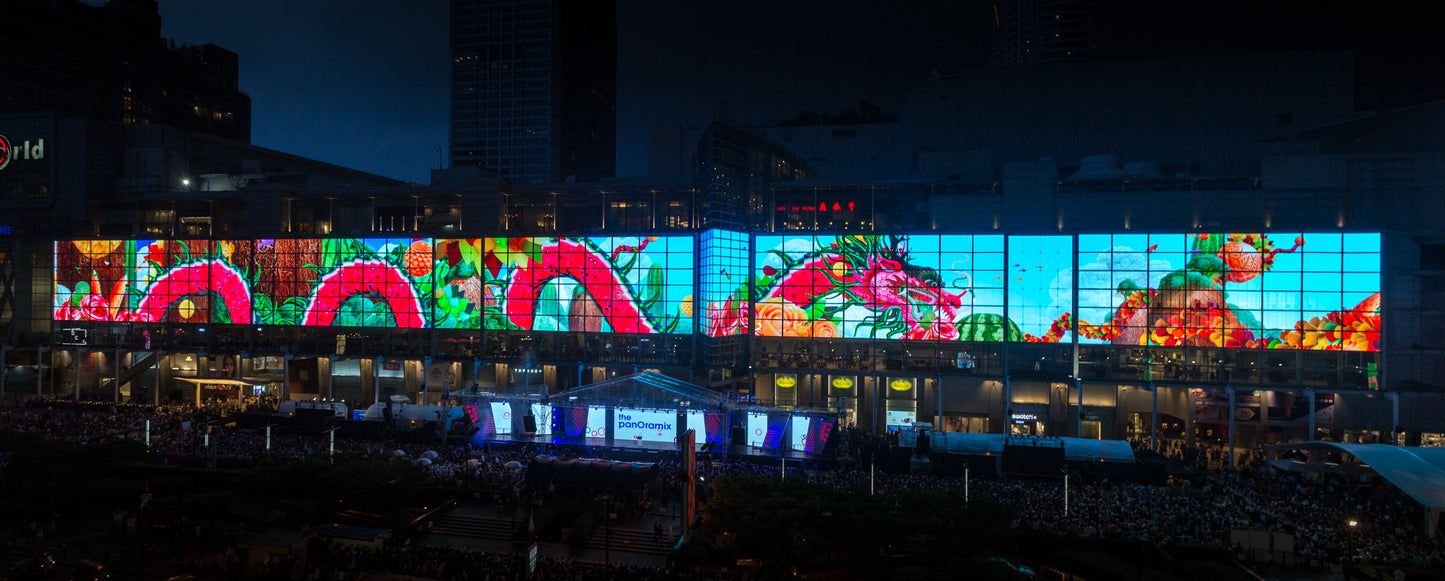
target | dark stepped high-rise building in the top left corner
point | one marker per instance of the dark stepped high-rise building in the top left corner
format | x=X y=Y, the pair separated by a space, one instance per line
x=108 y=63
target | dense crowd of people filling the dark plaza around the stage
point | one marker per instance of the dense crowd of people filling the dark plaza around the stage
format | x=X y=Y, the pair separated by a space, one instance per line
x=1330 y=521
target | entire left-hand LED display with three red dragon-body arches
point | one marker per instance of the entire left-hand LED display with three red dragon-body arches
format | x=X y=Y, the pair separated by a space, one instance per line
x=602 y=285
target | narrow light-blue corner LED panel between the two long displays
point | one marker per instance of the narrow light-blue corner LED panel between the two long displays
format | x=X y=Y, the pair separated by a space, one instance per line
x=725 y=284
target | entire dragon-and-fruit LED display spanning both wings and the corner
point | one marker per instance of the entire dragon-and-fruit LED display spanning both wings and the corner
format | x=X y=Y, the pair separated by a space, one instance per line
x=1294 y=291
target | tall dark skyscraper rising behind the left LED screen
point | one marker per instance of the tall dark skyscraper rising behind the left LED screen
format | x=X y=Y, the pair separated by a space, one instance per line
x=535 y=89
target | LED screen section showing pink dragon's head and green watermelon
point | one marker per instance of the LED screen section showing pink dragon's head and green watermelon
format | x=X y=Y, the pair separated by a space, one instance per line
x=882 y=287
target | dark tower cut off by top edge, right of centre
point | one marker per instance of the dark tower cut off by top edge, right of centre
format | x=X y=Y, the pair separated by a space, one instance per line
x=1032 y=33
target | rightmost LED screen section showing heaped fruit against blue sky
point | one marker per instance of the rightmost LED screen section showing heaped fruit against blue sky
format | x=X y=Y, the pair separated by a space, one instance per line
x=1233 y=290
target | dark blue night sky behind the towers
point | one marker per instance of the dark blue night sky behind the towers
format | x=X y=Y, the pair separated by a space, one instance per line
x=365 y=83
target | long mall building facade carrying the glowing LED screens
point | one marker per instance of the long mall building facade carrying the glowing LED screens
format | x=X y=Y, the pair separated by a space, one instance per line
x=1291 y=304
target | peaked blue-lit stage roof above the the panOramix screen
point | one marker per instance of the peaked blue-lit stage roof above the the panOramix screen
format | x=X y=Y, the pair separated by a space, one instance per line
x=647 y=390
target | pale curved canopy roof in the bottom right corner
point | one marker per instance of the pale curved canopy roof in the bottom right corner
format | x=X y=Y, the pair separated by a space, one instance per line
x=1420 y=473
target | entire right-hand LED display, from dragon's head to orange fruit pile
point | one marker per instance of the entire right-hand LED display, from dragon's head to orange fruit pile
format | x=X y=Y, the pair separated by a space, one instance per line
x=1216 y=290
